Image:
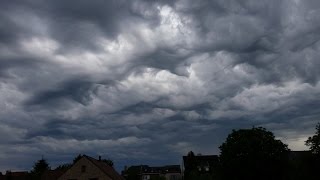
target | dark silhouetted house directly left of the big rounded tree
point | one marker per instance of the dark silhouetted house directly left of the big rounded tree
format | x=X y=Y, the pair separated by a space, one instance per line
x=200 y=166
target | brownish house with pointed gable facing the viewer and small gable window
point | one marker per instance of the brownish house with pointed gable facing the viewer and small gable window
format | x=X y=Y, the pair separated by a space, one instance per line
x=88 y=168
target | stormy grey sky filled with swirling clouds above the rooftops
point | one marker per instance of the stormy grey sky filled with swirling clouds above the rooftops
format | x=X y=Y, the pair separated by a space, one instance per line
x=145 y=81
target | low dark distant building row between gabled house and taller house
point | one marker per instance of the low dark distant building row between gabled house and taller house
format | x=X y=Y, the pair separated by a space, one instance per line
x=144 y=172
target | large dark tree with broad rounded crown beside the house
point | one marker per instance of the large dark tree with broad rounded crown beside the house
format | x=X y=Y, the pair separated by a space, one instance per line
x=253 y=154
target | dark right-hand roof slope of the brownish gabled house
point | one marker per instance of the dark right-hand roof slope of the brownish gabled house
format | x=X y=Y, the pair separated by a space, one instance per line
x=104 y=167
